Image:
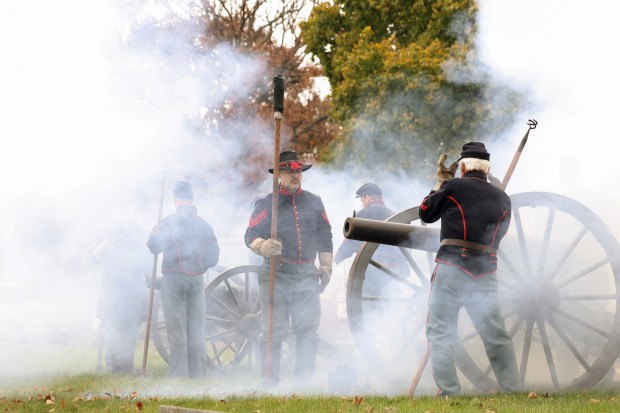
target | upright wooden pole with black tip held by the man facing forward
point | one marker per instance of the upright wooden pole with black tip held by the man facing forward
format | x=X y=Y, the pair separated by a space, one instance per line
x=278 y=109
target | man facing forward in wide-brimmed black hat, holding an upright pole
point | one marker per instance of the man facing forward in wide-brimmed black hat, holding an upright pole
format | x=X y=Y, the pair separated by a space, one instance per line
x=303 y=232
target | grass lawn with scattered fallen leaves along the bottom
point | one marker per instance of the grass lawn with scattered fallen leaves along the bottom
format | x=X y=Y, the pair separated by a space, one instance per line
x=58 y=388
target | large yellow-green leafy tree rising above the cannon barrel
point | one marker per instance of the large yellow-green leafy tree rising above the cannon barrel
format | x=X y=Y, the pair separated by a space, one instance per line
x=405 y=80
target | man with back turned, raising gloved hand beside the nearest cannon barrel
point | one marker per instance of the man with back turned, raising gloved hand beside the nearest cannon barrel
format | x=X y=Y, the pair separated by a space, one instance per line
x=475 y=216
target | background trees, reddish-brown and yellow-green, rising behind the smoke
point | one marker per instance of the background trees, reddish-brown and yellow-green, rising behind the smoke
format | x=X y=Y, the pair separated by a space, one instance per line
x=405 y=80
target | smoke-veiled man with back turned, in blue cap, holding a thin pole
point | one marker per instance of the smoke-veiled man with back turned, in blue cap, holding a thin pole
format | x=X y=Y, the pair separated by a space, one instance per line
x=190 y=249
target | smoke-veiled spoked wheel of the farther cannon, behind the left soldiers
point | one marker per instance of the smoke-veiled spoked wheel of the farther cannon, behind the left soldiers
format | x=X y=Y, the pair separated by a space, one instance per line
x=232 y=320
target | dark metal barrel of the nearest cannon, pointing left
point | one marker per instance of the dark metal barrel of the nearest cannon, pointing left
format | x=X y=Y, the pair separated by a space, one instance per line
x=392 y=233
